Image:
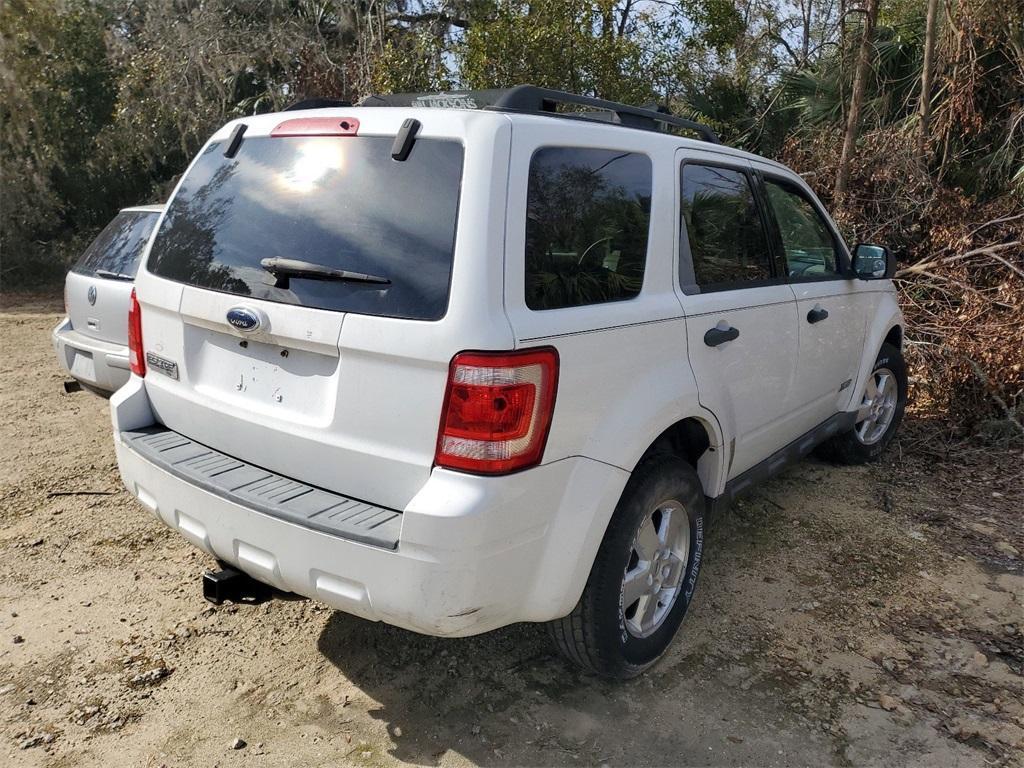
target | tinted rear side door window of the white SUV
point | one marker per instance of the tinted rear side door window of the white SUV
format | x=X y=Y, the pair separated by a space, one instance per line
x=724 y=231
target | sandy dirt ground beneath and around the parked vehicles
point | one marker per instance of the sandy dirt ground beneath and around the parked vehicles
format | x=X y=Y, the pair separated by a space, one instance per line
x=846 y=617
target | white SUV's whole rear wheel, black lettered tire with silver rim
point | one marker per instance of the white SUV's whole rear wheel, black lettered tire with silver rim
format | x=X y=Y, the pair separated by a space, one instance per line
x=644 y=577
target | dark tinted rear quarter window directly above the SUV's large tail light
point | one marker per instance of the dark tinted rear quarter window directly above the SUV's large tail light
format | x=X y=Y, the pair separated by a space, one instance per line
x=588 y=212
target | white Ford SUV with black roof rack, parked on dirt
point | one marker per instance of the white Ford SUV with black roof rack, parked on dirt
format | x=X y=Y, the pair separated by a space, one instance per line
x=456 y=368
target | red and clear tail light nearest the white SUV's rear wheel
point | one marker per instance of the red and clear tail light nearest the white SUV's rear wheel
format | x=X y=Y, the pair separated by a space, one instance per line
x=497 y=411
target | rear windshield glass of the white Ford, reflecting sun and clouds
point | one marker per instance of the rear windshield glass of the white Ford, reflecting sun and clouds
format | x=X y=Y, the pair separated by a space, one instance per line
x=337 y=202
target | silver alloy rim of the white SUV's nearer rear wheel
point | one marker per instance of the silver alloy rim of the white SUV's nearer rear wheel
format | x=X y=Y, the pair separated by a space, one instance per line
x=654 y=576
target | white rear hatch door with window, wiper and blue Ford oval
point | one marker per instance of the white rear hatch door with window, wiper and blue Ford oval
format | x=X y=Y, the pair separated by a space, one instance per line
x=332 y=372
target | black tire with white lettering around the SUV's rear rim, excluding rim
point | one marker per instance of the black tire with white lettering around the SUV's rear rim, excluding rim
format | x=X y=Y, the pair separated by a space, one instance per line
x=594 y=635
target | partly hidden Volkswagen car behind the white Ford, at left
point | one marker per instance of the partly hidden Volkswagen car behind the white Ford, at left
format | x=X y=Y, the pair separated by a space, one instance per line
x=92 y=342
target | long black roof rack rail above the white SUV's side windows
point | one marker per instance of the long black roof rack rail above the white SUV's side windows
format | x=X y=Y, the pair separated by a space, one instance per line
x=534 y=101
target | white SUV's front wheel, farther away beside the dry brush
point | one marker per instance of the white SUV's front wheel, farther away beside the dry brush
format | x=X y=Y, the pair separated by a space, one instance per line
x=879 y=415
